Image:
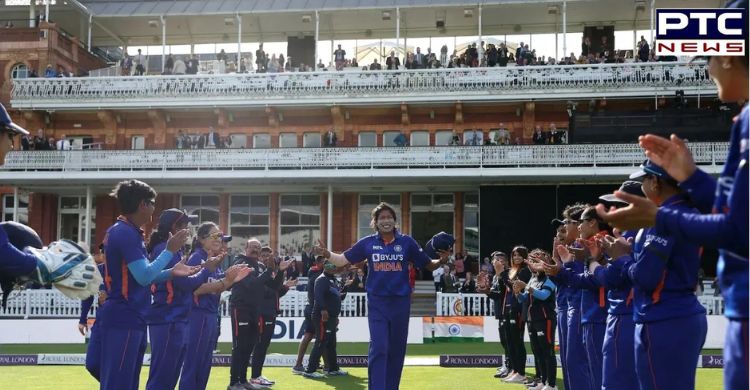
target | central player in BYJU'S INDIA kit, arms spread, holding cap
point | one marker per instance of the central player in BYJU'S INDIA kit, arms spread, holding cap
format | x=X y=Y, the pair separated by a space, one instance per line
x=388 y=293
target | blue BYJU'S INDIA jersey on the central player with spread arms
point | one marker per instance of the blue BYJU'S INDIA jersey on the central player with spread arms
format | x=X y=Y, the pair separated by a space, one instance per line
x=387 y=263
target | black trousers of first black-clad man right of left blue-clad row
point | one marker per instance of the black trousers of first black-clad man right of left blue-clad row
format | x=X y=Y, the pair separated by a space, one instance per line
x=245 y=336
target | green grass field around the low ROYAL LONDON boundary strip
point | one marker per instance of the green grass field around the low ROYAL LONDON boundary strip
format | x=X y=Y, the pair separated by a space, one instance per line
x=421 y=378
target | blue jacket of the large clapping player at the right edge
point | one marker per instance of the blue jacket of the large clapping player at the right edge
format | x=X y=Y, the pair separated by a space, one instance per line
x=725 y=229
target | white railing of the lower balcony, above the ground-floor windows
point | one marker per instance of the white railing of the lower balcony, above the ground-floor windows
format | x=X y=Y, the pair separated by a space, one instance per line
x=588 y=155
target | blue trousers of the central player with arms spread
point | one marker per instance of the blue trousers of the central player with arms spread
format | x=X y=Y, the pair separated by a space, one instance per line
x=389 y=329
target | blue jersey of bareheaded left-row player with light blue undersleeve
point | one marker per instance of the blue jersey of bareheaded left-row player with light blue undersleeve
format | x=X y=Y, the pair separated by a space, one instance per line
x=127 y=301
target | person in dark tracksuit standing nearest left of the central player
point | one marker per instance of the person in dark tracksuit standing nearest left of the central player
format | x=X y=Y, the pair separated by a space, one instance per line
x=326 y=310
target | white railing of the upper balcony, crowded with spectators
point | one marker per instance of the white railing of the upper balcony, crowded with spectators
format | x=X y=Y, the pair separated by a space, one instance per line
x=464 y=84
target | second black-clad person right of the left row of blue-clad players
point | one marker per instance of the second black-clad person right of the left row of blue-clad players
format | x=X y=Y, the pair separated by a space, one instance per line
x=269 y=309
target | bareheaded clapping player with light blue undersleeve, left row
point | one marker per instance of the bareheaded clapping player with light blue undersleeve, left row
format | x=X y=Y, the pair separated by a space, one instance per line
x=128 y=275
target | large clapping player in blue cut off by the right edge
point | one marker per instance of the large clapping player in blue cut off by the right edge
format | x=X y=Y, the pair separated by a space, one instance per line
x=723 y=204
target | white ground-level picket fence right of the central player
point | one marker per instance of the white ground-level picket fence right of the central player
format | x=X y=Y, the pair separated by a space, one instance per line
x=481 y=305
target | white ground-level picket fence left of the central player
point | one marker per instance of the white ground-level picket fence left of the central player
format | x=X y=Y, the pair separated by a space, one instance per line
x=53 y=304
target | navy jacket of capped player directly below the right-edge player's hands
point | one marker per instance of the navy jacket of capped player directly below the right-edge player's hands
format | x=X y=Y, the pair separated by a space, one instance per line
x=665 y=272
